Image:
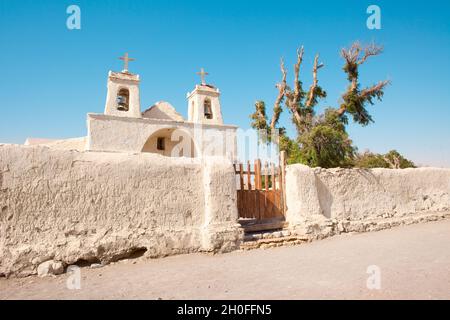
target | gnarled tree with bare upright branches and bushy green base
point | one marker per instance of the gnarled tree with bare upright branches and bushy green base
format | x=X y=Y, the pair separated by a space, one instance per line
x=325 y=135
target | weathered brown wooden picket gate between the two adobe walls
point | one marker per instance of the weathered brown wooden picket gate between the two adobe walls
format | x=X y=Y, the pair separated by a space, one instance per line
x=260 y=194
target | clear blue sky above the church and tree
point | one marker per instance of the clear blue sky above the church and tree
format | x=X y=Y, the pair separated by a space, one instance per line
x=51 y=76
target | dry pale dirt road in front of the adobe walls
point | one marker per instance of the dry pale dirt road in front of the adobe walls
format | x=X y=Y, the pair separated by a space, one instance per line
x=414 y=262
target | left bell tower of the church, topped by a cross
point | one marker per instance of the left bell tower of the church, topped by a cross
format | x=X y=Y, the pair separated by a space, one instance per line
x=123 y=92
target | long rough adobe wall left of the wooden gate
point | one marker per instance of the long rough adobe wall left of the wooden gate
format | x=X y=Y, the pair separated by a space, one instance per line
x=69 y=206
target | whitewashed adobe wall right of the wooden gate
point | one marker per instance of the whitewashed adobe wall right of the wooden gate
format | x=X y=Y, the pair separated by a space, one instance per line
x=357 y=194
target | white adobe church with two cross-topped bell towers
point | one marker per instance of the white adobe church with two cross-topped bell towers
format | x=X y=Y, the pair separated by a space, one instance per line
x=159 y=129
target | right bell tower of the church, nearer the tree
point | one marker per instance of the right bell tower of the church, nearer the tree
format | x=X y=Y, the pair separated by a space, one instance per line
x=204 y=103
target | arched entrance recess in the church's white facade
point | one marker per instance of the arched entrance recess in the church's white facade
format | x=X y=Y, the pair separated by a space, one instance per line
x=171 y=142
